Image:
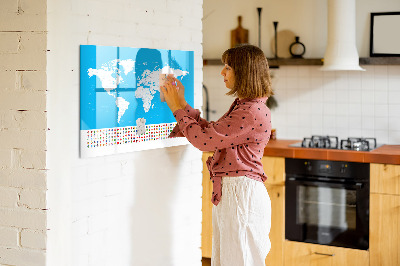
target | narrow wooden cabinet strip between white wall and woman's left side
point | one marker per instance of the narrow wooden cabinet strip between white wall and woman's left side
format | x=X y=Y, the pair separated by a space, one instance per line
x=206 y=226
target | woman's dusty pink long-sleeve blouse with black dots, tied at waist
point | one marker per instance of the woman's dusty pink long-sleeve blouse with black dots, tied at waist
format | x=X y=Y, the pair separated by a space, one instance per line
x=238 y=139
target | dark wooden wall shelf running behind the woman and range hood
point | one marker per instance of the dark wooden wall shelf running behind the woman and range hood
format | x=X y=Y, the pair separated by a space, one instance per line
x=274 y=63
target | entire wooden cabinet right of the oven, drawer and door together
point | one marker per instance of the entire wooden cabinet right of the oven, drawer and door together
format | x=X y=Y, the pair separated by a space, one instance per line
x=385 y=215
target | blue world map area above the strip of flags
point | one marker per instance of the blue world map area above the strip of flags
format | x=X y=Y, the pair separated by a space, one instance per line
x=120 y=85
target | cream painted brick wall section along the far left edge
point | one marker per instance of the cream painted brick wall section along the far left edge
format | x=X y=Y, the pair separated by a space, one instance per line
x=23 y=132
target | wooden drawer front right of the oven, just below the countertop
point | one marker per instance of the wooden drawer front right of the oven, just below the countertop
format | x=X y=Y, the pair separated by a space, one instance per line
x=385 y=178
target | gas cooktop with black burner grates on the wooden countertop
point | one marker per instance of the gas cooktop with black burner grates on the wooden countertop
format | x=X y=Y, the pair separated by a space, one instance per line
x=332 y=142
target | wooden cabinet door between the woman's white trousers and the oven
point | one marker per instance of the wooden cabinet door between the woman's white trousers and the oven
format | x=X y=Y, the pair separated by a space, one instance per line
x=277 y=233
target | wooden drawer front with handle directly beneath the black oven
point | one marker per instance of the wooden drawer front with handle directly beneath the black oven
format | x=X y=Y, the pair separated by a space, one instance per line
x=305 y=254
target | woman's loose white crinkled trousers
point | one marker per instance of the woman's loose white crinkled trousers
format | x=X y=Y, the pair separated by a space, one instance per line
x=241 y=223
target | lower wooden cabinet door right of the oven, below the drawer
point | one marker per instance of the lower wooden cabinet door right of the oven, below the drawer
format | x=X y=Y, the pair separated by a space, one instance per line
x=384 y=237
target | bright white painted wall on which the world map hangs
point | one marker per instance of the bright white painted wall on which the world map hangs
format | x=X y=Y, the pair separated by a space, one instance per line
x=140 y=208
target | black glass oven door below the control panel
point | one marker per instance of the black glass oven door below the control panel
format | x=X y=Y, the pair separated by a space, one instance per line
x=327 y=213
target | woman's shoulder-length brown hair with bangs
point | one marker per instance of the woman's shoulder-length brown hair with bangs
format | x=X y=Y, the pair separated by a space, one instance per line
x=250 y=66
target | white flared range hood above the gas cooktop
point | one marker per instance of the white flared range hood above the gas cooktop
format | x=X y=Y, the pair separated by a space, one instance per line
x=341 y=51
